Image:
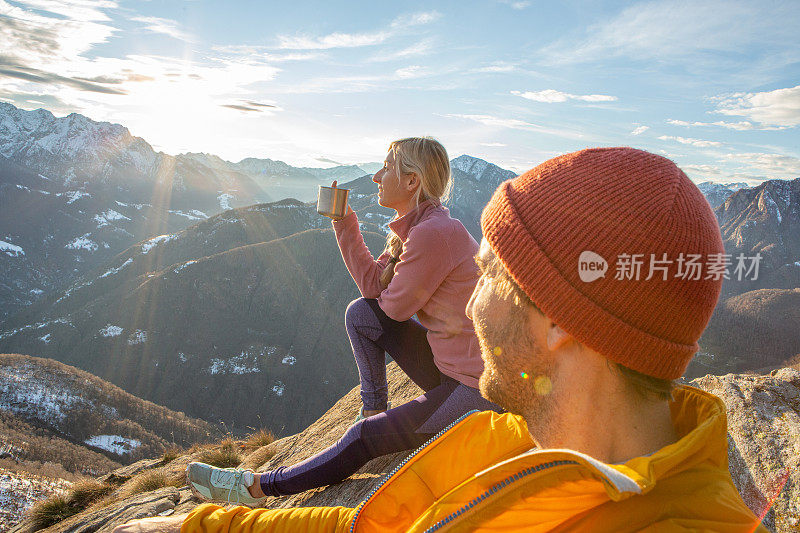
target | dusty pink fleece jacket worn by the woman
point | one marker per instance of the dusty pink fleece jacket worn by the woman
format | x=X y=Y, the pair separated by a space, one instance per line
x=433 y=279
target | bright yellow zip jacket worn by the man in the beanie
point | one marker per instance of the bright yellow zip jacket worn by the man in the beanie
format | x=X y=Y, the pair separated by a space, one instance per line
x=482 y=475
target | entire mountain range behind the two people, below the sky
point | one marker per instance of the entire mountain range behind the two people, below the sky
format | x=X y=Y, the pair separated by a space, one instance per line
x=189 y=284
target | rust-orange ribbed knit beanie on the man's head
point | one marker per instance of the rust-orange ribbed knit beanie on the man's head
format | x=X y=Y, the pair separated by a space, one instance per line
x=625 y=206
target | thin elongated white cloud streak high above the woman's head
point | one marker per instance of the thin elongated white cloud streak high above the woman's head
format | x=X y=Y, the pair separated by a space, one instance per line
x=354 y=40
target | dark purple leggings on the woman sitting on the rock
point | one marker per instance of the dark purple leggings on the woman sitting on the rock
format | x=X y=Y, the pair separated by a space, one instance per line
x=405 y=427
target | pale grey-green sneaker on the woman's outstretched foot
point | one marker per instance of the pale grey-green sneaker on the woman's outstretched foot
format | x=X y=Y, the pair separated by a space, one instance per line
x=222 y=484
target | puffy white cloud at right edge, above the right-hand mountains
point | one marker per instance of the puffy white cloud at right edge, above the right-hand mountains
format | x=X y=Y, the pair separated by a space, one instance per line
x=780 y=107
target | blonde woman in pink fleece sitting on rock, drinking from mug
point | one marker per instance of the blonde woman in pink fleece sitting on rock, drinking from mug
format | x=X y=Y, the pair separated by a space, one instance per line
x=427 y=269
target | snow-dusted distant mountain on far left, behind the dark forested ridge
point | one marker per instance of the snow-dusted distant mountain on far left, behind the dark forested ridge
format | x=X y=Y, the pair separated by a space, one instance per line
x=74 y=192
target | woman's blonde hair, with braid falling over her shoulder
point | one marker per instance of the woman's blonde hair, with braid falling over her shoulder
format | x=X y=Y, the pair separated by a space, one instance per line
x=427 y=158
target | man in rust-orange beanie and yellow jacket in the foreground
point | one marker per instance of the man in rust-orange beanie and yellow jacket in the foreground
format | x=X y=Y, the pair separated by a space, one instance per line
x=601 y=268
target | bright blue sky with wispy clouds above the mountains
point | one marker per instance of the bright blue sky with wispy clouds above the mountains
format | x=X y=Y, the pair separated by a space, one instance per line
x=714 y=86
